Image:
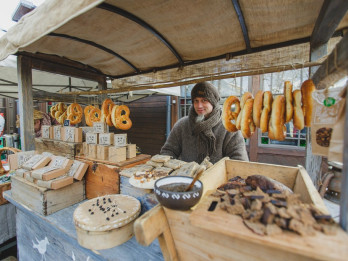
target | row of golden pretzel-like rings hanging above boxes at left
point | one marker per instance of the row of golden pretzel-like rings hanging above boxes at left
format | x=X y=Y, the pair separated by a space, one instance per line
x=112 y=114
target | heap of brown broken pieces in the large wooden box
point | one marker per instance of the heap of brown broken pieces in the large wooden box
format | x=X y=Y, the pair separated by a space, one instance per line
x=268 y=207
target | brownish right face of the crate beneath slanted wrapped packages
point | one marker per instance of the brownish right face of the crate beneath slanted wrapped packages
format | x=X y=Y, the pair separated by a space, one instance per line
x=65 y=197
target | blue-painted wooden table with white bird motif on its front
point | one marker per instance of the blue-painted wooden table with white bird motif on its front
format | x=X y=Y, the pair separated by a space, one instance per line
x=54 y=236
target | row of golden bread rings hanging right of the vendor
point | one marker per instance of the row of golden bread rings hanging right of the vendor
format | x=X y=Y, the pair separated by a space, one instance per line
x=268 y=113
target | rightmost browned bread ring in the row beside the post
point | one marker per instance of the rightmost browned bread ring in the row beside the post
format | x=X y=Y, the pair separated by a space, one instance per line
x=307 y=89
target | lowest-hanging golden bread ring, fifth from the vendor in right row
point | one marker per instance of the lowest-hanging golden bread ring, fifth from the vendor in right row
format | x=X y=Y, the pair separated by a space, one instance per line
x=276 y=123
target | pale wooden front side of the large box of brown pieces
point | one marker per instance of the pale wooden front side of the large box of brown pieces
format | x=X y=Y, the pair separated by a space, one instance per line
x=193 y=243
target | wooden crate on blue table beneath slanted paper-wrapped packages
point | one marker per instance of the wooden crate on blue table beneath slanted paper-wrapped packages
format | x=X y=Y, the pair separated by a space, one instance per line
x=46 y=201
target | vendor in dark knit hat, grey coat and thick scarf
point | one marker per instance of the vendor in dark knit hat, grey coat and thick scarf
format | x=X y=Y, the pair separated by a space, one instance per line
x=201 y=133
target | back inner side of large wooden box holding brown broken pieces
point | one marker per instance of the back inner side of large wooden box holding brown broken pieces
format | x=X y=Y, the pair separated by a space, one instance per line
x=283 y=174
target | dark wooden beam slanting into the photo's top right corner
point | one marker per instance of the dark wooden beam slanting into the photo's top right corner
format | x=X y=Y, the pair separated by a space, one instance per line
x=331 y=13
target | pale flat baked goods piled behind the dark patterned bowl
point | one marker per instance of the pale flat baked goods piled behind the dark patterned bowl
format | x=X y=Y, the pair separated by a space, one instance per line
x=145 y=175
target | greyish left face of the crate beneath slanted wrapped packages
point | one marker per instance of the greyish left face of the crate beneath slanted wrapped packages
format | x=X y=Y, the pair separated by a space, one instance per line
x=31 y=196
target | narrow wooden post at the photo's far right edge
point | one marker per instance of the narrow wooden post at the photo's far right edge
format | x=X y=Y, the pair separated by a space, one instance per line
x=344 y=184
